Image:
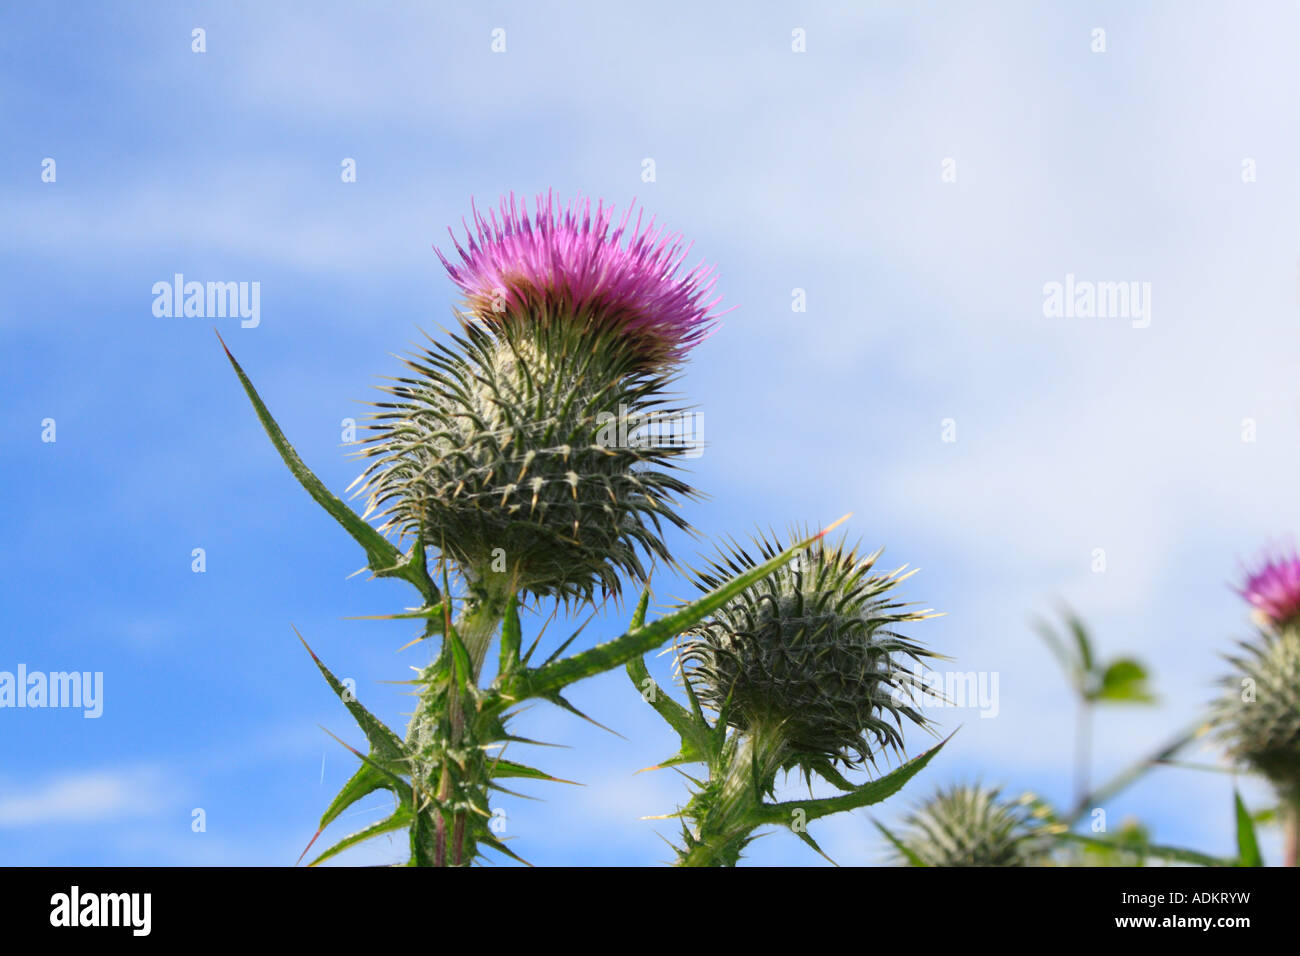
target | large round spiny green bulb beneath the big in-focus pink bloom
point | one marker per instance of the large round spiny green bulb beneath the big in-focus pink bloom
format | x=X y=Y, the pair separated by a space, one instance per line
x=517 y=453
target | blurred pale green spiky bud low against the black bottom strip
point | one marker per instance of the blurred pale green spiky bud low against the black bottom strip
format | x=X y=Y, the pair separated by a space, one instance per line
x=969 y=825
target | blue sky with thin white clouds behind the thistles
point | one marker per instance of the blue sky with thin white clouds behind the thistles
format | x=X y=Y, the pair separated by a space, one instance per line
x=818 y=171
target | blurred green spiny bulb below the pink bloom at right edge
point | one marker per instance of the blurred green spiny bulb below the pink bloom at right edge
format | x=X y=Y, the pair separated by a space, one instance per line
x=1259 y=717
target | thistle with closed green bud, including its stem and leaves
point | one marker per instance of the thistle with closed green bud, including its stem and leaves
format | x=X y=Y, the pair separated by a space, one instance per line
x=805 y=674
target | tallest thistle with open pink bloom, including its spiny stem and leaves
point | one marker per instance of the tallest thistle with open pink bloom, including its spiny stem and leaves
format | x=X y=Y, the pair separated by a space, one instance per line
x=501 y=461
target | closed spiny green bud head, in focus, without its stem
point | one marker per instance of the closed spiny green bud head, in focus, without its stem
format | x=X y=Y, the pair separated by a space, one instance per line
x=811 y=654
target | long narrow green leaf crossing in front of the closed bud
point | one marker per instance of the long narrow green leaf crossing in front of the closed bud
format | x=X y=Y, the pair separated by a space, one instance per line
x=640 y=641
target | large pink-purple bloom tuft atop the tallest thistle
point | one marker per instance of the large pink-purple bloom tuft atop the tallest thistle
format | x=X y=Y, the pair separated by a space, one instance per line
x=569 y=265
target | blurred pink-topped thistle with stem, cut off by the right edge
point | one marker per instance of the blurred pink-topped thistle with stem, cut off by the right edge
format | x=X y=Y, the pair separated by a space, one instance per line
x=1259 y=715
